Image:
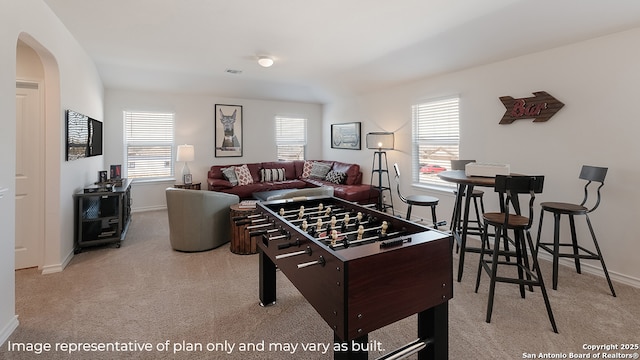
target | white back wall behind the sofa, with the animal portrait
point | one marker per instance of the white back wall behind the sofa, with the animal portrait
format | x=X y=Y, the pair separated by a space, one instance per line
x=195 y=125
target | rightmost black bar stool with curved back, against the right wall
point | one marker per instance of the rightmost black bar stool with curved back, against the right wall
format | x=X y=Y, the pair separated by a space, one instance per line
x=590 y=174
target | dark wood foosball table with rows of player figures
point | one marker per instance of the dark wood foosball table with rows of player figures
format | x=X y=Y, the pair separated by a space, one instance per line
x=361 y=270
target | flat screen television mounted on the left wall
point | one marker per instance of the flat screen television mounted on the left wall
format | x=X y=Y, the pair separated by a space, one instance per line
x=84 y=136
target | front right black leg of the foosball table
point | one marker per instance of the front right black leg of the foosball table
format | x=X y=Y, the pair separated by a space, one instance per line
x=433 y=324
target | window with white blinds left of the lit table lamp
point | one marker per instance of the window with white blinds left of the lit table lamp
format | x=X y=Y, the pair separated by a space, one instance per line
x=149 y=144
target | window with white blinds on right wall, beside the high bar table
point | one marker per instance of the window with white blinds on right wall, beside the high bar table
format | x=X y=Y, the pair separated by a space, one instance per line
x=436 y=138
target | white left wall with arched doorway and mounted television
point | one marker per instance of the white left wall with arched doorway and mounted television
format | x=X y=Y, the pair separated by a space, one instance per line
x=71 y=81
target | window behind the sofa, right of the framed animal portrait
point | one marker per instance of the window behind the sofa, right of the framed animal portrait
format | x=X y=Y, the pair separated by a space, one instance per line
x=290 y=132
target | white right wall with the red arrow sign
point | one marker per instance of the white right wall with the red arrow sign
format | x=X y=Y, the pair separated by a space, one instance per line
x=597 y=80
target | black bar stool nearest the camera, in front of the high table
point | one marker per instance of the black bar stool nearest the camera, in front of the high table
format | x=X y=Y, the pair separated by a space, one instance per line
x=510 y=187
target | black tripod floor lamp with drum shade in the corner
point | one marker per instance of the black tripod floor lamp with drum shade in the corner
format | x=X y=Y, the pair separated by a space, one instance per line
x=381 y=141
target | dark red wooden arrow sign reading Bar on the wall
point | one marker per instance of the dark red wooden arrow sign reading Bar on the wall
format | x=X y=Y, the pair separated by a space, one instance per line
x=541 y=107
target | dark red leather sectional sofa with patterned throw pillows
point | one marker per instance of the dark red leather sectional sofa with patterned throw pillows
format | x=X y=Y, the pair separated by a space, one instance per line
x=350 y=189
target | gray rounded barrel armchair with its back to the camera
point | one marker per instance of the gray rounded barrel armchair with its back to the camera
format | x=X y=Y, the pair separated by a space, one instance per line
x=198 y=219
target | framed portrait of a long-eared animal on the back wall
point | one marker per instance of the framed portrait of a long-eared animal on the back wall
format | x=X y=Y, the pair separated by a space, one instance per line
x=228 y=130
